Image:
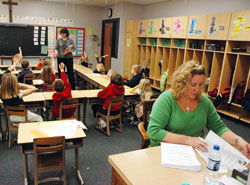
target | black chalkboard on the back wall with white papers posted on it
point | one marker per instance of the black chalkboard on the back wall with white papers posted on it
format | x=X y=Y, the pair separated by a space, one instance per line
x=13 y=36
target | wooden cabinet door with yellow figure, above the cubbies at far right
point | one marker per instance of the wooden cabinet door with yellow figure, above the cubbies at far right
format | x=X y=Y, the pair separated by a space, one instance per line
x=240 y=26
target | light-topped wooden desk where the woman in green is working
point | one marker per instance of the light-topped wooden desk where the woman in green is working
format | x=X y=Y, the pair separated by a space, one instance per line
x=144 y=167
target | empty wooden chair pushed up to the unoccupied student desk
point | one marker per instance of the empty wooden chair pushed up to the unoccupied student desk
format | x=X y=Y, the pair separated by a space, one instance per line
x=49 y=156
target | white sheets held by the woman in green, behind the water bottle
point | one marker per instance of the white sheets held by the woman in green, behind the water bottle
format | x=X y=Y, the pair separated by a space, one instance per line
x=230 y=156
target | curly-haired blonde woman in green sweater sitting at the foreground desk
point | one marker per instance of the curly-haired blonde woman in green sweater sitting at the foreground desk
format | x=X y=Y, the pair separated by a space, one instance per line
x=180 y=115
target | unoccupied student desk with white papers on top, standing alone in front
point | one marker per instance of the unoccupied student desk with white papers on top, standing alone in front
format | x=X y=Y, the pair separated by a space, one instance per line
x=28 y=131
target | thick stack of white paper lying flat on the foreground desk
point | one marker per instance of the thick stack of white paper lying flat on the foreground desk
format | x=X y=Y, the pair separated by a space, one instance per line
x=179 y=156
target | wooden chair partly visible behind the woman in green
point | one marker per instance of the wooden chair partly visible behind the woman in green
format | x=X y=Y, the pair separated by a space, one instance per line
x=142 y=126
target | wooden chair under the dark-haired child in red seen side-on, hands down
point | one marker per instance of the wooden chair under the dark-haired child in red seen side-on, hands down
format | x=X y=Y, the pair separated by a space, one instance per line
x=114 y=101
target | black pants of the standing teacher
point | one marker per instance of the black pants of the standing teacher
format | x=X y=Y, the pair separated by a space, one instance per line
x=68 y=62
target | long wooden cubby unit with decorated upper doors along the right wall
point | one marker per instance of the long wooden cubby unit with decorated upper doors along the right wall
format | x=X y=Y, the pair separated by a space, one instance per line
x=164 y=44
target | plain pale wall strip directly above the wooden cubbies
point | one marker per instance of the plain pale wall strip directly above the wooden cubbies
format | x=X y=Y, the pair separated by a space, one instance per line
x=175 y=8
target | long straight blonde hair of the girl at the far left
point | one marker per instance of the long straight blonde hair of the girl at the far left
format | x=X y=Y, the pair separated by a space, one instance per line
x=9 y=86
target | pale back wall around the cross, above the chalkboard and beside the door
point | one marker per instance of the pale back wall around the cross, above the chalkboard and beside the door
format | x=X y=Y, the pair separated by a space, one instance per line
x=82 y=16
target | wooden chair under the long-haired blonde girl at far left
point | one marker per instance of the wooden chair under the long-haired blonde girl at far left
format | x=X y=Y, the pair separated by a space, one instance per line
x=13 y=126
